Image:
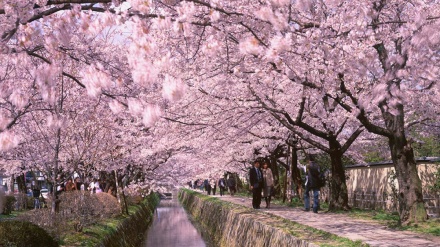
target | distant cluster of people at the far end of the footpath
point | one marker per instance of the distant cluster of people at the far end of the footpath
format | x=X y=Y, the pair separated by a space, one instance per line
x=211 y=185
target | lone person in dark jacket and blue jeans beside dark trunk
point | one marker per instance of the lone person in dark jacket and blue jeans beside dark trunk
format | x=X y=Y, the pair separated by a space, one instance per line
x=312 y=184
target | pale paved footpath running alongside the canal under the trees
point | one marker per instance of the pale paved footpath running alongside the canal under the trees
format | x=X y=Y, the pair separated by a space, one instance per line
x=368 y=232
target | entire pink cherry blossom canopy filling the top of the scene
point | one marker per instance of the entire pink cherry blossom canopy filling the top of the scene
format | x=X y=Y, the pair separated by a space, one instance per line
x=195 y=86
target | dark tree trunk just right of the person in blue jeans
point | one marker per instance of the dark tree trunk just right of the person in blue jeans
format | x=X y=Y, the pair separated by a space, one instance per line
x=337 y=183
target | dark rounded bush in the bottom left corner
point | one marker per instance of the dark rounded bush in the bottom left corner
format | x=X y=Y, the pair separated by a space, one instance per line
x=22 y=233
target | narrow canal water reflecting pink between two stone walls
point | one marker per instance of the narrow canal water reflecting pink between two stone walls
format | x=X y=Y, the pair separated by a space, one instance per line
x=171 y=227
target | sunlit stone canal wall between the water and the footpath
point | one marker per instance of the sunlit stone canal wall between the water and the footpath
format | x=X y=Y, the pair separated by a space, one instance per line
x=232 y=225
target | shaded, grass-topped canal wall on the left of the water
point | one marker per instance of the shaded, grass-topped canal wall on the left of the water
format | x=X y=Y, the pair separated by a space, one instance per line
x=131 y=231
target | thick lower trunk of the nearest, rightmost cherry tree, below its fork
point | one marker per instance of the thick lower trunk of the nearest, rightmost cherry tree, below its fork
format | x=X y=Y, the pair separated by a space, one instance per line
x=410 y=197
